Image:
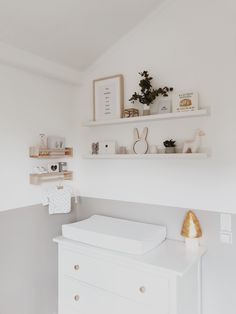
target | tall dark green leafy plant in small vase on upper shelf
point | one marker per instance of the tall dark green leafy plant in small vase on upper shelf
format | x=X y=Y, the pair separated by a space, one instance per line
x=147 y=93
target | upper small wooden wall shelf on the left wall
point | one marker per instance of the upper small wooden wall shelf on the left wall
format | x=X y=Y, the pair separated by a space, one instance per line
x=36 y=152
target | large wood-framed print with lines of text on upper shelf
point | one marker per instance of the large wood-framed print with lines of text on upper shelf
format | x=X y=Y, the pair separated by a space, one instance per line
x=108 y=97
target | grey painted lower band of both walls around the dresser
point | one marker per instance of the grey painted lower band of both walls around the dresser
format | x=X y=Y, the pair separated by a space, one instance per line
x=28 y=258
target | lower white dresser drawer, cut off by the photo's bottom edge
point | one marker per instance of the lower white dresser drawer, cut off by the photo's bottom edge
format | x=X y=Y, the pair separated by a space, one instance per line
x=77 y=297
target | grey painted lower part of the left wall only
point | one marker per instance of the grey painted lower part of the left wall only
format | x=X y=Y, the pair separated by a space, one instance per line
x=28 y=260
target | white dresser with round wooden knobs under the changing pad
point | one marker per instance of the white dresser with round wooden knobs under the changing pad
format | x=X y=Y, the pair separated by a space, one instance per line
x=166 y=280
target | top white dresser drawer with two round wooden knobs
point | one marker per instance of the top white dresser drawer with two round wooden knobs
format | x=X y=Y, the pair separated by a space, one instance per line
x=139 y=286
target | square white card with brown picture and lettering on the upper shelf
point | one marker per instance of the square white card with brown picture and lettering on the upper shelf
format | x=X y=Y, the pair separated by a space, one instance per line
x=185 y=101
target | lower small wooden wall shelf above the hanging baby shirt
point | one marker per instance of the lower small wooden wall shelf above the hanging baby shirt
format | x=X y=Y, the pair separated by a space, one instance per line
x=37 y=178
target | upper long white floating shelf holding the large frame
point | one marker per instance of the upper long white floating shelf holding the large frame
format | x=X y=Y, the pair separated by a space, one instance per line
x=154 y=117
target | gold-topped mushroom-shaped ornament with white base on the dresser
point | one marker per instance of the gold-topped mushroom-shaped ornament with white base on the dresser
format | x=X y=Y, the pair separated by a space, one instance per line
x=191 y=230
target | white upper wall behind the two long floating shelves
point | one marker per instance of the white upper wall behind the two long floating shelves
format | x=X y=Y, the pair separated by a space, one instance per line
x=190 y=45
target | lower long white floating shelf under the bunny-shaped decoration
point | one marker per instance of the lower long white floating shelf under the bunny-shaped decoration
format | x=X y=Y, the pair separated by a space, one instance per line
x=147 y=156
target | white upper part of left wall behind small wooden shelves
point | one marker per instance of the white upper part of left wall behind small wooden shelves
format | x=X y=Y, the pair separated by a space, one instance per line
x=29 y=104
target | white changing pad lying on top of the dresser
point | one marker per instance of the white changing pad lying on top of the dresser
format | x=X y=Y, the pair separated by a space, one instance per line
x=116 y=234
